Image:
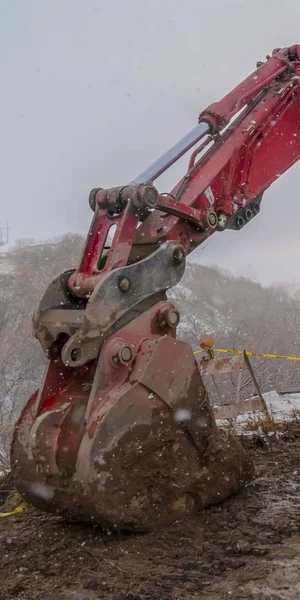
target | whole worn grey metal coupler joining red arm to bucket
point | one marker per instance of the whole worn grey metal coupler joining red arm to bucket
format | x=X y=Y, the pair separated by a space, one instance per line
x=83 y=323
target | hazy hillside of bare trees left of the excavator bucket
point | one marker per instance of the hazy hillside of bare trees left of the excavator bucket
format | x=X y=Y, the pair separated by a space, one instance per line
x=21 y=359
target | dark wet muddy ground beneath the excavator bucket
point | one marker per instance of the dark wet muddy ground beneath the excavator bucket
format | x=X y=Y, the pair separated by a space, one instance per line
x=246 y=548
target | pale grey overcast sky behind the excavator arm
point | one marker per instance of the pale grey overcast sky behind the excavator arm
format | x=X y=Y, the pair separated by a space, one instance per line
x=92 y=91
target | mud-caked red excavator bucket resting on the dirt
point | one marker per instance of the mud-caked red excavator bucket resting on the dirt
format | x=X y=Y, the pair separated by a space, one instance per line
x=128 y=441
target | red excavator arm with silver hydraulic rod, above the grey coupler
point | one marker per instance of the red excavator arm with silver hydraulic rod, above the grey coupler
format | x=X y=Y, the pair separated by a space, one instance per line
x=229 y=179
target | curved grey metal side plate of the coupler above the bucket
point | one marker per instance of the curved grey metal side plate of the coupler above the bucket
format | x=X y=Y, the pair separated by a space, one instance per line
x=110 y=300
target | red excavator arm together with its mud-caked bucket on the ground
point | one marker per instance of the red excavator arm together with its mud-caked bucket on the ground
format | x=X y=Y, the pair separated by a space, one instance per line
x=121 y=432
